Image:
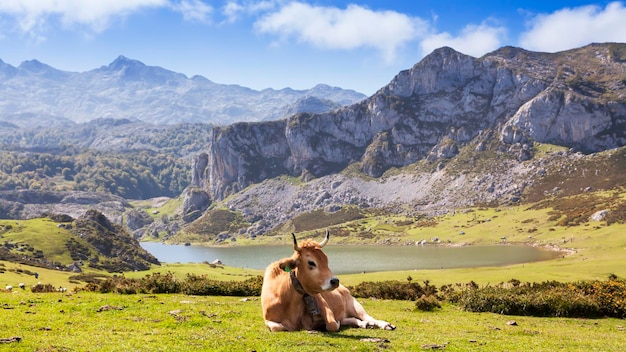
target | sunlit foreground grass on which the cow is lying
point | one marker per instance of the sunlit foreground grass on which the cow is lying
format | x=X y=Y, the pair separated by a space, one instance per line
x=58 y=322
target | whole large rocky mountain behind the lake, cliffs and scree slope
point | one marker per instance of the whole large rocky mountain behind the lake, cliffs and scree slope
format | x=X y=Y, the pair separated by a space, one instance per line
x=451 y=132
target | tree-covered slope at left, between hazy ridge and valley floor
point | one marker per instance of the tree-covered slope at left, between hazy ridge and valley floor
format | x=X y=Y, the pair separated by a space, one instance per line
x=133 y=175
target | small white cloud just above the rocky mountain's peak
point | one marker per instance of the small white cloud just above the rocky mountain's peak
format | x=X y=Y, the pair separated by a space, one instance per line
x=474 y=40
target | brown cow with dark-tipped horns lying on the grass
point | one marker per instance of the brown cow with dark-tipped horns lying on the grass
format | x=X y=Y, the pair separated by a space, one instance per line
x=301 y=292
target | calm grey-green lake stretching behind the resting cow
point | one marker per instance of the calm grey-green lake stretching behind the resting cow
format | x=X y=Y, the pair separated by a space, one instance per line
x=357 y=259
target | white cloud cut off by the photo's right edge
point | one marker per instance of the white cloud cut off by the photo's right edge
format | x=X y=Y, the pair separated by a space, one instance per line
x=573 y=27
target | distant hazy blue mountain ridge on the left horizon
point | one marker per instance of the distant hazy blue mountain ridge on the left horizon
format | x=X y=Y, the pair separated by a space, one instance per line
x=35 y=93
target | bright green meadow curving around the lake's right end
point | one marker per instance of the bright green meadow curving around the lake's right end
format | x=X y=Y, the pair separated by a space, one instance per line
x=598 y=249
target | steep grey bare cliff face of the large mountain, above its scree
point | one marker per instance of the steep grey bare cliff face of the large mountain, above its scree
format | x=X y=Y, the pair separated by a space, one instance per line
x=433 y=110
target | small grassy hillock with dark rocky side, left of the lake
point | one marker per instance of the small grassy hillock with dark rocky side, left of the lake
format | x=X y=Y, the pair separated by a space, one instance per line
x=60 y=242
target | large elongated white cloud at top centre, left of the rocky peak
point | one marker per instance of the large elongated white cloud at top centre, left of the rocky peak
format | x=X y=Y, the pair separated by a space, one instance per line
x=350 y=28
